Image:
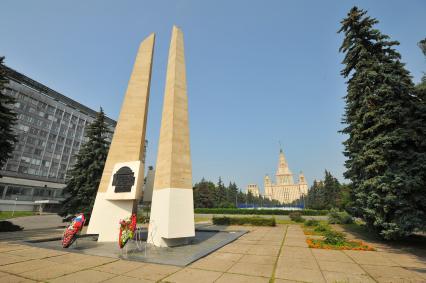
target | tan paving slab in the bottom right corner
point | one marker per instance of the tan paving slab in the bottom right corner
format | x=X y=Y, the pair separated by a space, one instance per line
x=391 y=273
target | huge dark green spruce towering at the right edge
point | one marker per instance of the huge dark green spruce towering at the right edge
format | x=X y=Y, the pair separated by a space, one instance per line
x=385 y=158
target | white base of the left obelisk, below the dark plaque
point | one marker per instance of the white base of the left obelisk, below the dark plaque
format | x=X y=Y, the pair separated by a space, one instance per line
x=106 y=215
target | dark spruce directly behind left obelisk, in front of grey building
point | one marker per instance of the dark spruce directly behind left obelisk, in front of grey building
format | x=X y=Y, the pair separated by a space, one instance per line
x=85 y=176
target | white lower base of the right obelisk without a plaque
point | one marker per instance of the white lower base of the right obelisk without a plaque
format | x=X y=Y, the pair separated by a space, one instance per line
x=172 y=217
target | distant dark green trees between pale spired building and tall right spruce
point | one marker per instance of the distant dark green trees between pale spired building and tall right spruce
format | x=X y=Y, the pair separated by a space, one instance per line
x=327 y=193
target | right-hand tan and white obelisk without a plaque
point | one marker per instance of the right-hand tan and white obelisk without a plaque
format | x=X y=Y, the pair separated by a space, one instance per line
x=172 y=209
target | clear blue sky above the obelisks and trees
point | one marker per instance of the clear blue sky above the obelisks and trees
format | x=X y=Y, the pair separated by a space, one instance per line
x=258 y=72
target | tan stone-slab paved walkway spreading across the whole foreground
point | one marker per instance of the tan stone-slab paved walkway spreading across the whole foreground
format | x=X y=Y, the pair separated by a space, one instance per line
x=278 y=253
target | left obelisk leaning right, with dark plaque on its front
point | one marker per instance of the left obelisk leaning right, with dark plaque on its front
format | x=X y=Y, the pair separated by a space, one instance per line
x=123 y=175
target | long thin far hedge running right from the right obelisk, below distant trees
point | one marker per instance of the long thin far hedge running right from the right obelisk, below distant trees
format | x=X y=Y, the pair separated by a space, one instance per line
x=306 y=212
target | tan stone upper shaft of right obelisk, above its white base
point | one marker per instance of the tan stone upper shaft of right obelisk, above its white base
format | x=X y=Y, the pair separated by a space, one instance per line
x=173 y=168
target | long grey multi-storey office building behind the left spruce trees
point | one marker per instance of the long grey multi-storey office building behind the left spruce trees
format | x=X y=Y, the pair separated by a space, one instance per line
x=51 y=129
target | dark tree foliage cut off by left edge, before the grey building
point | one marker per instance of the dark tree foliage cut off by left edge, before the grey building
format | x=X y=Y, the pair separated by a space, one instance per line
x=7 y=119
